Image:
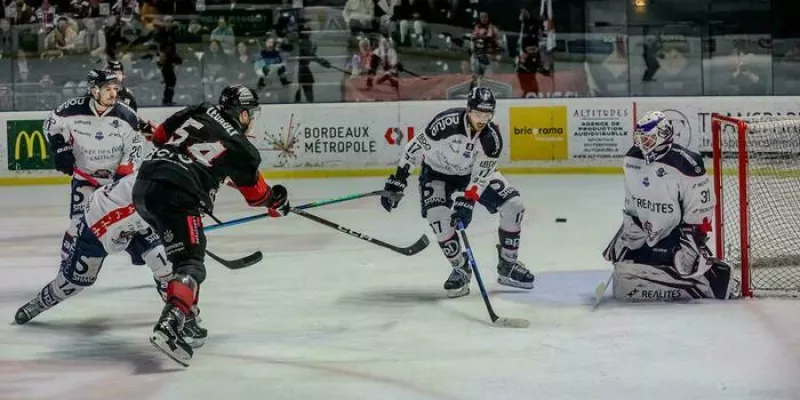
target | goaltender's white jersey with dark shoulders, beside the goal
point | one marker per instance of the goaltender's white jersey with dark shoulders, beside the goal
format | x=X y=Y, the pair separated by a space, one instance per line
x=670 y=191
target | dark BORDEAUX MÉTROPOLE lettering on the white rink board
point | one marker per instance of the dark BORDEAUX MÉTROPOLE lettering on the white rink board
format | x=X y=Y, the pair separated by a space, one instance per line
x=338 y=139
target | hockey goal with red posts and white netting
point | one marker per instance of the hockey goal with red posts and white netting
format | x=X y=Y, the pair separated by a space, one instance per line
x=757 y=218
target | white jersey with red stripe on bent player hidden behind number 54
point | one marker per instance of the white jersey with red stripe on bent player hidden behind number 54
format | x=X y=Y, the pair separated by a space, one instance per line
x=111 y=216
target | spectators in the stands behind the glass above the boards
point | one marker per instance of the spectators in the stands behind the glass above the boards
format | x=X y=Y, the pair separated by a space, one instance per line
x=184 y=51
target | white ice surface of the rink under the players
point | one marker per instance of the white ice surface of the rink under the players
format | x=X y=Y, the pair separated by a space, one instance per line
x=326 y=316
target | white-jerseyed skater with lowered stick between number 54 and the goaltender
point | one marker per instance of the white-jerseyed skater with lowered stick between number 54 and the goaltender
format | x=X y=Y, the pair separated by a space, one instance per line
x=458 y=151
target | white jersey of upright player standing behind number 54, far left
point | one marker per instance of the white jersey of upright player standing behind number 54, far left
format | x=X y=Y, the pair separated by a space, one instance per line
x=100 y=143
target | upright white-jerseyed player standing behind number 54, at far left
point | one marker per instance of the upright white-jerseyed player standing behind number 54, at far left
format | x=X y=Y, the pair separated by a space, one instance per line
x=93 y=136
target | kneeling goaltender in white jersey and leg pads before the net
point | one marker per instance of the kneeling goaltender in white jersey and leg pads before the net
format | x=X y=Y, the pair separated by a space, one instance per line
x=660 y=252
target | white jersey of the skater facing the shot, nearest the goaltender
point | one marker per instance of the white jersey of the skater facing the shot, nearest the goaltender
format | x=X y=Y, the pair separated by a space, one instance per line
x=445 y=146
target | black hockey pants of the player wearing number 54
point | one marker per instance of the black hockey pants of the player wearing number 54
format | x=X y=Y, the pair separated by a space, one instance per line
x=175 y=216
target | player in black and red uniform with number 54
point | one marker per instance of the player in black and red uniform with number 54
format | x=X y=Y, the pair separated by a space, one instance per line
x=199 y=147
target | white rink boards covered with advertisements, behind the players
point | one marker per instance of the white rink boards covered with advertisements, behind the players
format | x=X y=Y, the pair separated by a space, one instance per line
x=541 y=136
